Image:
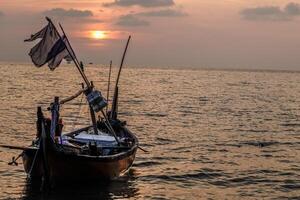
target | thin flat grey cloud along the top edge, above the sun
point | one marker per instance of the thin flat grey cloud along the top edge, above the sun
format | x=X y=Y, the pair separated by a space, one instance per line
x=142 y=3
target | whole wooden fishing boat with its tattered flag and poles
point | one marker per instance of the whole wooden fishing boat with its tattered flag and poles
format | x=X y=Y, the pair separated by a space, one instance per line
x=103 y=150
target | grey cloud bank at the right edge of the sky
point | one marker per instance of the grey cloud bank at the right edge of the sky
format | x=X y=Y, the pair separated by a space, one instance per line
x=272 y=13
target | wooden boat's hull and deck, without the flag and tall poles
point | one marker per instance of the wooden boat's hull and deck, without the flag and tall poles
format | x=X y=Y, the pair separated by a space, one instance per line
x=80 y=154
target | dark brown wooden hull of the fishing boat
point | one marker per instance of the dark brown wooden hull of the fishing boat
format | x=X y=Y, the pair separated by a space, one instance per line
x=65 y=162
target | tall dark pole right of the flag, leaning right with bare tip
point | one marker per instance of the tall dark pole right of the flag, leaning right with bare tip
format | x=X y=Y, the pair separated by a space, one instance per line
x=115 y=98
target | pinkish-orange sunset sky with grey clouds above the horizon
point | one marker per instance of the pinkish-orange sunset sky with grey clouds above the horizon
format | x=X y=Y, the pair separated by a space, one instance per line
x=244 y=34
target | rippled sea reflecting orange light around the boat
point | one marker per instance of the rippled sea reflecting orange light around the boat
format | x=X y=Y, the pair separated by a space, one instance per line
x=210 y=134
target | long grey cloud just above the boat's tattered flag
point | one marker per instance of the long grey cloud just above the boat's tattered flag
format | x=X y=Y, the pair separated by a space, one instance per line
x=60 y=12
